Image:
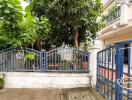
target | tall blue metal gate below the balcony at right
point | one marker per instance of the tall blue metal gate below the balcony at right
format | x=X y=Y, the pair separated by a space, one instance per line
x=114 y=72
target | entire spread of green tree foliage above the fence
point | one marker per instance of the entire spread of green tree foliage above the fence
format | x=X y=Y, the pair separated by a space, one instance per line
x=55 y=22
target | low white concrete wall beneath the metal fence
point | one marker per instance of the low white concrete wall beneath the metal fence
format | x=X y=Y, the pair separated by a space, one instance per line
x=45 y=80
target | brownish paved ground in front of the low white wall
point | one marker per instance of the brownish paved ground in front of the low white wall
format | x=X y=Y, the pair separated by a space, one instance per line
x=43 y=94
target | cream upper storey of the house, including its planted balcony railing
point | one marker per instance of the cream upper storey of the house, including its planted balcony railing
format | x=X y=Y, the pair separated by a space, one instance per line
x=117 y=19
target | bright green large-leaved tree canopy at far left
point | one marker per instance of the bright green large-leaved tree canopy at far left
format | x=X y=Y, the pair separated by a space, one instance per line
x=16 y=23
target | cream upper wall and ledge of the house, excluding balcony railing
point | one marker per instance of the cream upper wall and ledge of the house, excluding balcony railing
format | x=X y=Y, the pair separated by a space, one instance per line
x=121 y=28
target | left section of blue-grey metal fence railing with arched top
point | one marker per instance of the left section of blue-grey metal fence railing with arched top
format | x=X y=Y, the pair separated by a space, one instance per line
x=20 y=60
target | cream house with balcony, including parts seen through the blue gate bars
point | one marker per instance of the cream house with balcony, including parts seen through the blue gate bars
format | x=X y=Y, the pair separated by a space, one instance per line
x=116 y=28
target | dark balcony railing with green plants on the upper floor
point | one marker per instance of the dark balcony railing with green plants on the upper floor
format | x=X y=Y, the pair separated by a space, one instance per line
x=108 y=19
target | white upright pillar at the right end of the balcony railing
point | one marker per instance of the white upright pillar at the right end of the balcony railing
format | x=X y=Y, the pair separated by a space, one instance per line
x=124 y=13
